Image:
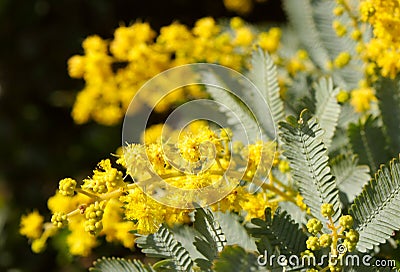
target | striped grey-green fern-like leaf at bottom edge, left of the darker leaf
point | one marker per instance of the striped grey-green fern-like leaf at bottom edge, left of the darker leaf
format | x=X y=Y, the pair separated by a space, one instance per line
x=162 y=244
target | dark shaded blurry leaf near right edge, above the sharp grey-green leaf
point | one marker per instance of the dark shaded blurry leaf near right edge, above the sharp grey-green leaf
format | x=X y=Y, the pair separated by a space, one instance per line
x=369 y=142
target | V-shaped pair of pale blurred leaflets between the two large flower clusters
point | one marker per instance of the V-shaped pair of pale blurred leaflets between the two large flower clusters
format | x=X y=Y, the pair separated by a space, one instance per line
x=257 y=109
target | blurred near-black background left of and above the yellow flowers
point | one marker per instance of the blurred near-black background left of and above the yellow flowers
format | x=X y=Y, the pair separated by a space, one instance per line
x=39 y=143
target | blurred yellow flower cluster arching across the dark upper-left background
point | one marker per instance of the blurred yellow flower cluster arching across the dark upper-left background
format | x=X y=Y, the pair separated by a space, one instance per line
x=114 y=70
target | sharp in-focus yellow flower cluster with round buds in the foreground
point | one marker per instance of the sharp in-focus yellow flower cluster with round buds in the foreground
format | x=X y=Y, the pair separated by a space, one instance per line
x=110 y=206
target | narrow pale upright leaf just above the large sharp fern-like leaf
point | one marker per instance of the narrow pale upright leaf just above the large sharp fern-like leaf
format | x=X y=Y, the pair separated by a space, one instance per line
x=327 y=108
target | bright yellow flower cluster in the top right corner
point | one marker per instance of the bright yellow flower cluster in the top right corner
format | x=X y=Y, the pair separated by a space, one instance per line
x=384 y=48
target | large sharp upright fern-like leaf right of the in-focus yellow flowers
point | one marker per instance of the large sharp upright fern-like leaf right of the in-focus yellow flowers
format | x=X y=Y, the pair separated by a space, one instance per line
x=305 y=150
